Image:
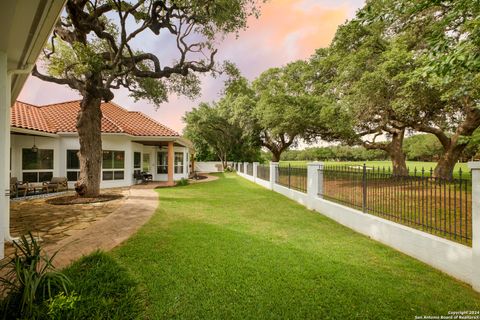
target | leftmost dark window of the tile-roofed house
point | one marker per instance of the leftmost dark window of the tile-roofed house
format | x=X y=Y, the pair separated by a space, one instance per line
x=37 y=166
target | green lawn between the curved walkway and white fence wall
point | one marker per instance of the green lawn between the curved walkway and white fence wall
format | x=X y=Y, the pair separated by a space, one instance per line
x=229 y=249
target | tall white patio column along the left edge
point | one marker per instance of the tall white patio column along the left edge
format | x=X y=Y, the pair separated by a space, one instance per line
x=5 y=151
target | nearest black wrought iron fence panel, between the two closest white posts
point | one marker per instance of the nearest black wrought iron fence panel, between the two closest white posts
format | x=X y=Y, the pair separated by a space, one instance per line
x=438 y=206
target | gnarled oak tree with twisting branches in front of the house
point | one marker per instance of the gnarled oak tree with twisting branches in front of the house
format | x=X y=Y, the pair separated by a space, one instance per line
x=93 y=50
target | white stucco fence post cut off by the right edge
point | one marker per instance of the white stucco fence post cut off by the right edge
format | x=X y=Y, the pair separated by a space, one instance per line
x=475 y=166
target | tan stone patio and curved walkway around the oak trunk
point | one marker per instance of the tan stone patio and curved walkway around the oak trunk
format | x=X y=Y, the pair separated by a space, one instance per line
x=78 y=230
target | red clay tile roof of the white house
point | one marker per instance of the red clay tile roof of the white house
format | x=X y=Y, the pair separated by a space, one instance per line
x=62 y=117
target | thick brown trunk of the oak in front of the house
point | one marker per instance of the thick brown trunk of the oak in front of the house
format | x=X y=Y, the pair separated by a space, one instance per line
x=90 y=137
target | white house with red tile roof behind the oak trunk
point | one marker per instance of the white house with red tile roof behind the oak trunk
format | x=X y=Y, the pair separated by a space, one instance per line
x=44 y=144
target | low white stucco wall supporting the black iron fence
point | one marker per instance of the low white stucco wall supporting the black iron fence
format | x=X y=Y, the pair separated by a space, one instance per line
x=448 y=256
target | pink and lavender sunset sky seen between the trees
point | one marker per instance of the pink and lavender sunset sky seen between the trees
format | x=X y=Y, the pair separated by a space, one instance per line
x=287 y=30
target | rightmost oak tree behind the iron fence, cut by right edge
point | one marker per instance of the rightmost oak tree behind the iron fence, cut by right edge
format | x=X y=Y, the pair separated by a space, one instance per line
x=440 y=92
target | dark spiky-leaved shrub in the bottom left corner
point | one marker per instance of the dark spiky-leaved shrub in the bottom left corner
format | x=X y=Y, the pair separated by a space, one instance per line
x=28 y=279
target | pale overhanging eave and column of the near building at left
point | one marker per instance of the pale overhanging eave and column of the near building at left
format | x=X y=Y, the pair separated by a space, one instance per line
x=25 y=25
